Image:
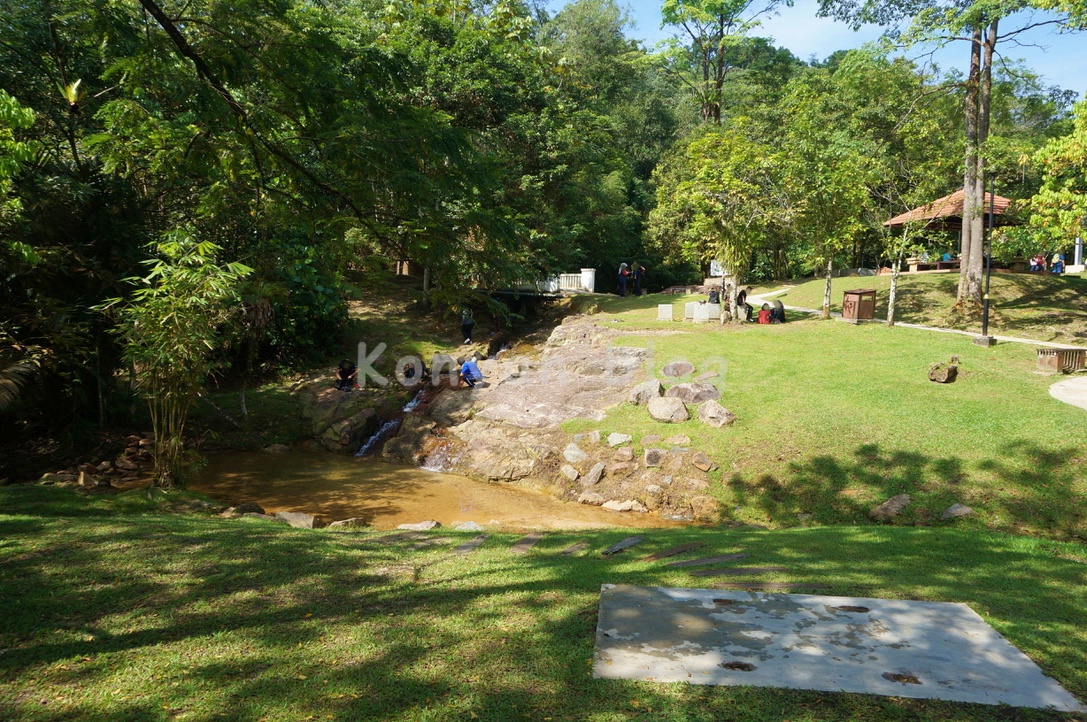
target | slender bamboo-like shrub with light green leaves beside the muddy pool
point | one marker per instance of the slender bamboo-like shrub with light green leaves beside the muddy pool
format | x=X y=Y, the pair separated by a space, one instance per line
x=171 y=327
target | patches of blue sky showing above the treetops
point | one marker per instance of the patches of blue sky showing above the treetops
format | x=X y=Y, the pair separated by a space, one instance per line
x=1060 y=59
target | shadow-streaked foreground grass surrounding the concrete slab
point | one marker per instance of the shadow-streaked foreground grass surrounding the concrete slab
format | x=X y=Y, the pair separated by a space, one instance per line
x=116 y=609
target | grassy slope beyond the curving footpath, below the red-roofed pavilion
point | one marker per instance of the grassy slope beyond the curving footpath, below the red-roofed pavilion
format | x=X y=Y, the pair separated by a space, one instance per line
x=1042 y=307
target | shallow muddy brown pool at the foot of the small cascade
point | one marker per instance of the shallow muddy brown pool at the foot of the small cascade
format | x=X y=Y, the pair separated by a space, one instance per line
x=334 y=488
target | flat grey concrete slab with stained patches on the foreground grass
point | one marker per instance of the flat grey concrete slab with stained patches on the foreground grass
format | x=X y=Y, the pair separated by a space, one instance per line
x=891 y=648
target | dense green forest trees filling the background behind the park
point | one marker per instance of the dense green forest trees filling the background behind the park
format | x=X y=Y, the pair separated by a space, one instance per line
x=184 y=184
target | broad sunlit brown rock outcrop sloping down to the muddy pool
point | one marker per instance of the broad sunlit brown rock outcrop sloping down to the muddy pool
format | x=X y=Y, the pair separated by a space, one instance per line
x=511 y=429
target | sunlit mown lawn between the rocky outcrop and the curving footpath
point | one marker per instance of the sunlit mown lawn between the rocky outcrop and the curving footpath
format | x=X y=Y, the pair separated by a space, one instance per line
x=834 y=419
